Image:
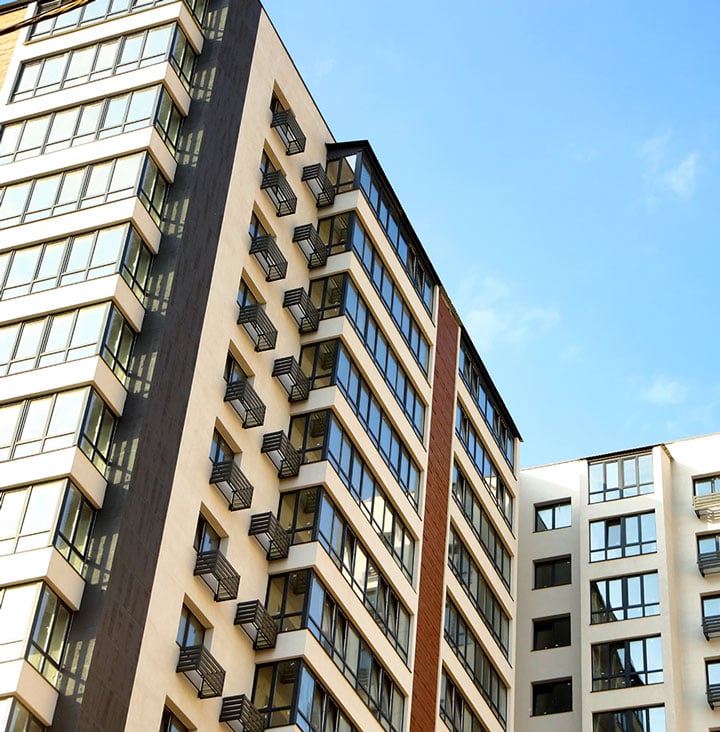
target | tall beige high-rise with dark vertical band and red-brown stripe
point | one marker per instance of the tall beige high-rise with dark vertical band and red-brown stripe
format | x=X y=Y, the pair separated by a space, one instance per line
x=253 y=472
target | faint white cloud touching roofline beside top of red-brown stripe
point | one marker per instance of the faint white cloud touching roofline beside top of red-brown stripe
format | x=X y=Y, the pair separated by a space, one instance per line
x=496 y=316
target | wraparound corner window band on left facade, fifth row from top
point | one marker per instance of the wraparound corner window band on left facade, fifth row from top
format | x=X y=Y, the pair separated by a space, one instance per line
x=88 y=256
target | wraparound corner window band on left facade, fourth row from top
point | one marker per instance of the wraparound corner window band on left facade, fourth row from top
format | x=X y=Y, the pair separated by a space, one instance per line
x=81 y=188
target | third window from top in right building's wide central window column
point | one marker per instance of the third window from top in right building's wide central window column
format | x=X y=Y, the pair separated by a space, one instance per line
x=623 y=598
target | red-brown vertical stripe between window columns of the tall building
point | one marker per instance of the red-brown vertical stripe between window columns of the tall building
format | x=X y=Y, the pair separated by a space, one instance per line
x=432 y=566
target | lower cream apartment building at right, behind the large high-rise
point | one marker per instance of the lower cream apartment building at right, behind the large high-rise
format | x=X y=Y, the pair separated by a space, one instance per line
x=619 y=592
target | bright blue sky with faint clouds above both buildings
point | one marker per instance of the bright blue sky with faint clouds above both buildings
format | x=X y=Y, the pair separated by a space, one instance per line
x=560 y=161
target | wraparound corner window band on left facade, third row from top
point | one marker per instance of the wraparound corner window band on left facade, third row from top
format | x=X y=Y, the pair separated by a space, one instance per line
x=92 y=121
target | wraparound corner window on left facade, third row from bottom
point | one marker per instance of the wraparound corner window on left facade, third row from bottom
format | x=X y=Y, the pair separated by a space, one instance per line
x=54 y=513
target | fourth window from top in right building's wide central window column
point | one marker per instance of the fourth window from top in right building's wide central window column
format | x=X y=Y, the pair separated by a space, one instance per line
x=620 y=664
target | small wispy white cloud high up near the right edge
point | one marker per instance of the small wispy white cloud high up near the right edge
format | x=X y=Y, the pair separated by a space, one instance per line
x=665 y=176
